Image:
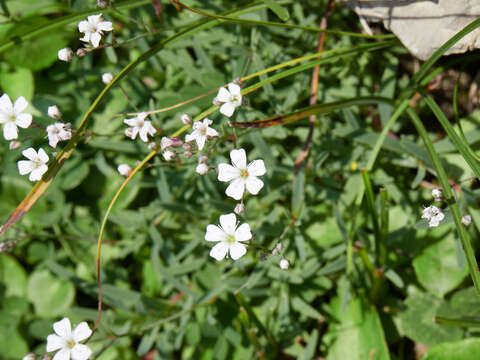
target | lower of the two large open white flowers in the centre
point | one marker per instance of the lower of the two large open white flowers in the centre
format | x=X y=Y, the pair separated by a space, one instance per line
x=229 y=237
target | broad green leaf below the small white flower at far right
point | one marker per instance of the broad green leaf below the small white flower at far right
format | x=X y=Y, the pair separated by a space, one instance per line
x=437 y=267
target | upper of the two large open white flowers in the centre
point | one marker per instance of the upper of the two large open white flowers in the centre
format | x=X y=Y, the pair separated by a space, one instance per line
x=241 y=175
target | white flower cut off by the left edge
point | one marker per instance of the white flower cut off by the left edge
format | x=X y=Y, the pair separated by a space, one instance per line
x=12 y=115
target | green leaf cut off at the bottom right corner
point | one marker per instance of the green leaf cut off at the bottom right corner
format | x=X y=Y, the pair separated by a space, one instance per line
x=467 y=349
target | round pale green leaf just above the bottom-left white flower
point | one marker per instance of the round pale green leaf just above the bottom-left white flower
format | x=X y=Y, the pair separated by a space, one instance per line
x=49 y=295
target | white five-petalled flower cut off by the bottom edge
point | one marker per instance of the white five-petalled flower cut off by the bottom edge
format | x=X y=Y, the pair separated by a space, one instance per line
x=67 y=341
